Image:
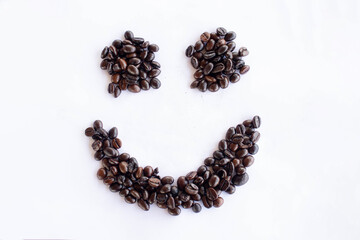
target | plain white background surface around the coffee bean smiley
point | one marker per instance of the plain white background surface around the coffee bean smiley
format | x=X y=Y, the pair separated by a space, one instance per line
x=303 y=82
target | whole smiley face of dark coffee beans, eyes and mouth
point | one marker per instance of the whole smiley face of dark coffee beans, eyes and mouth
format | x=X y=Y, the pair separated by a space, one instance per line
x=132 y=69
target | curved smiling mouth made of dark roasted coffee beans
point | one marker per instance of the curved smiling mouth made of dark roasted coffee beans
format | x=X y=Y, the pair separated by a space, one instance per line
x=219 y=173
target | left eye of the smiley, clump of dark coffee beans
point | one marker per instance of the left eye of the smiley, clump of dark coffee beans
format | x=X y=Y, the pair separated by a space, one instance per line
x=131 y=64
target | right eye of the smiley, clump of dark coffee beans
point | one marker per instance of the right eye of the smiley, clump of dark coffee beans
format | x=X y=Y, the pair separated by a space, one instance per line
x=215 y=60
